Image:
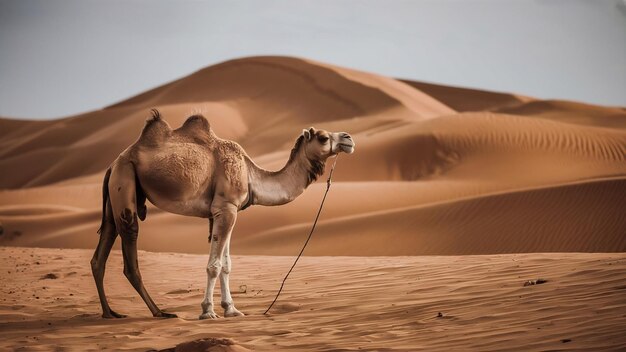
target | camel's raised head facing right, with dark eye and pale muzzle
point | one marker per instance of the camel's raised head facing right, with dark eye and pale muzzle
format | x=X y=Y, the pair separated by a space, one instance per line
x=321 y=144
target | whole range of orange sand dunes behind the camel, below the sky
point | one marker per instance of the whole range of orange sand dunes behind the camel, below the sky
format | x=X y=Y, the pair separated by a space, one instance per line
x=438 y=170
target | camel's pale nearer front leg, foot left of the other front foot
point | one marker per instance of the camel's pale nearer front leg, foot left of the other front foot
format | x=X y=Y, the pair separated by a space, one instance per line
x=224 y=218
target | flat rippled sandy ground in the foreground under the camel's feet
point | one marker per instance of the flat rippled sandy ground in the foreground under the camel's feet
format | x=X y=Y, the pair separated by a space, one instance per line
x=329 y=303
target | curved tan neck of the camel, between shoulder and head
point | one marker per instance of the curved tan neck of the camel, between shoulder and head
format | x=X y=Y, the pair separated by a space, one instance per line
x=285 y=185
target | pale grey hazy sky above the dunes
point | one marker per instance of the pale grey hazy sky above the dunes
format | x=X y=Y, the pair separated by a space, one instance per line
x=64 y=57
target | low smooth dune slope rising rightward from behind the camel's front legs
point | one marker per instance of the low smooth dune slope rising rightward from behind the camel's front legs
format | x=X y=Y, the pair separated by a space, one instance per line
x=499 y=223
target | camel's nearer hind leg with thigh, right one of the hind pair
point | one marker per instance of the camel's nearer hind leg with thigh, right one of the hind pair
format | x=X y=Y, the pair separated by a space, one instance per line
x=123 y=195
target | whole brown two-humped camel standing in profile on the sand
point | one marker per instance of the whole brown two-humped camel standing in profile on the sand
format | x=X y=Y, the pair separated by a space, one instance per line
x=190 y=171
